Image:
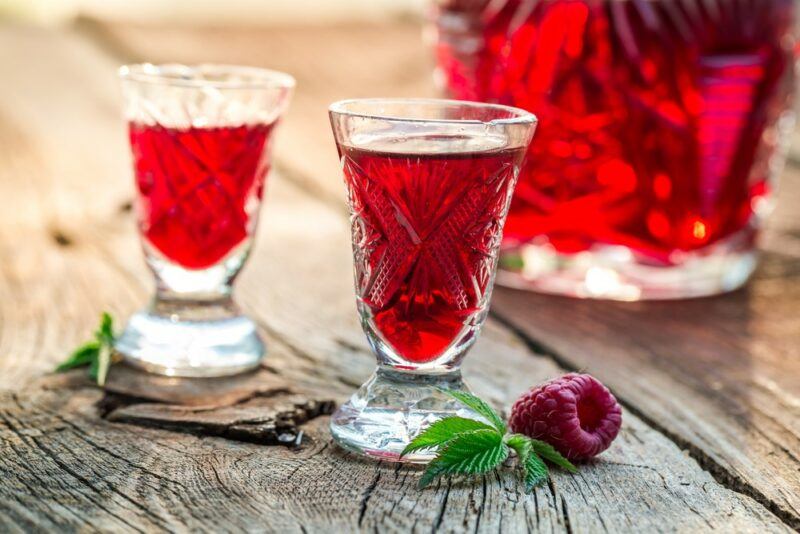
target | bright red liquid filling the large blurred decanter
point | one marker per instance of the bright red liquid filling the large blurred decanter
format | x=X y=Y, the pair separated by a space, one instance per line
x=657 y=119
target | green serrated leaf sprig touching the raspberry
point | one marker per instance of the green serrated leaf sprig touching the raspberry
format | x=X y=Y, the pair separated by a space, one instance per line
x=471 y=447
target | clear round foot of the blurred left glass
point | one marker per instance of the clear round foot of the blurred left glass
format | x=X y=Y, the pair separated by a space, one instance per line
x=199 y=340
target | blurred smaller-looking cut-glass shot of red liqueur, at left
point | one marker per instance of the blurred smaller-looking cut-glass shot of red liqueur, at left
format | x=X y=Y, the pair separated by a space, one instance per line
x=200 y=139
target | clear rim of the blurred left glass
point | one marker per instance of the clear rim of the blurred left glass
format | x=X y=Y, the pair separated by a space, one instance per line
x=174 y=74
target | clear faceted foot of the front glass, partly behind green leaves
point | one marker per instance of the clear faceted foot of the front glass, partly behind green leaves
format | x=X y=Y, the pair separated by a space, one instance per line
x=391 y=408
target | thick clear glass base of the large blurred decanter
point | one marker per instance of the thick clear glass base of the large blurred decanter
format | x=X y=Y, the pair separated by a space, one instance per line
x=614 y=273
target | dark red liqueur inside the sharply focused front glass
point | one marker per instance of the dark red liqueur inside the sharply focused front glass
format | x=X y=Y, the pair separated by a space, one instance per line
x=426 y=229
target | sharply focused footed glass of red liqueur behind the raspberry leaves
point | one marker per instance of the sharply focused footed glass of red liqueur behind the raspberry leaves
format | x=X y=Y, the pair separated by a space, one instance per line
x=429 y=185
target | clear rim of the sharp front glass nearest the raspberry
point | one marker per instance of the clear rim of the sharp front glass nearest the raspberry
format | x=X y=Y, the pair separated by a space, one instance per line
x=521 y=116
